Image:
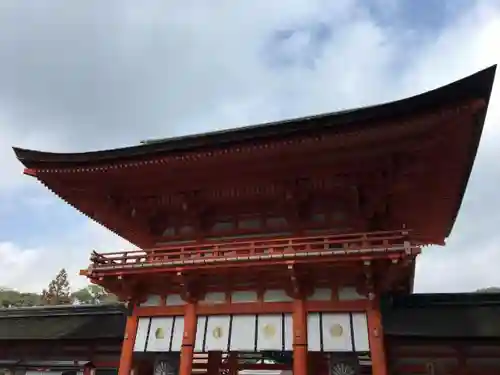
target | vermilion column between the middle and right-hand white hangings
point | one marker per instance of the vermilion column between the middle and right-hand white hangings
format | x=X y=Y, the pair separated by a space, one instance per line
x=299 y=337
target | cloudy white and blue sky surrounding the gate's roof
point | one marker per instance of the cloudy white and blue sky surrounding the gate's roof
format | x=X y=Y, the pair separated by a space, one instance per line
x=82 y=75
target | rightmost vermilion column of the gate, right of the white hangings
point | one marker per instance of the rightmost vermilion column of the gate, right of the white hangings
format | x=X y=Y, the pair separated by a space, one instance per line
x=376 y=338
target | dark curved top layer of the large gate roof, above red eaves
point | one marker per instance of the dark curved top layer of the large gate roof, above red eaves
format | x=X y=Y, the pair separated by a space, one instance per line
x=476 y=86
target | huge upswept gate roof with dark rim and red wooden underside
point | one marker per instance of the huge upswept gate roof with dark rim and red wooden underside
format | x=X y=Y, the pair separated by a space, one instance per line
x=391 y=170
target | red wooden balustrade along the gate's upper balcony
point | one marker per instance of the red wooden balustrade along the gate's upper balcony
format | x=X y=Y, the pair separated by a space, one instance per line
x=258 y=249
